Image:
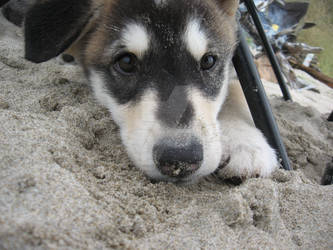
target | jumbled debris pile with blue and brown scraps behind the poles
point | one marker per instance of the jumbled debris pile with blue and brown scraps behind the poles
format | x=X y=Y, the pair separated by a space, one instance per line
x=282 y=22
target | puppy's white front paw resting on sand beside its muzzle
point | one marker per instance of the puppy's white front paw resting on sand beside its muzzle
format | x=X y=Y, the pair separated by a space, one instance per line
x=246 y=154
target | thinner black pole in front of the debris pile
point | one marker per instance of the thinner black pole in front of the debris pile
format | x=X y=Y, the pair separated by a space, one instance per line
x=252 y=9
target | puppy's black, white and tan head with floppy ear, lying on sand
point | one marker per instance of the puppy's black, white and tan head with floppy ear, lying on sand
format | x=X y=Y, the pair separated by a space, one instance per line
x=160 y=67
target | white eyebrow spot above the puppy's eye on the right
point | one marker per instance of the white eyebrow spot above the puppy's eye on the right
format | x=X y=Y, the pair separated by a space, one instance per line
x=195 y=39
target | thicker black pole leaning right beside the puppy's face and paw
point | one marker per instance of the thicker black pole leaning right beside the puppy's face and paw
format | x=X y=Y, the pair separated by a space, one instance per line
x=257 y=99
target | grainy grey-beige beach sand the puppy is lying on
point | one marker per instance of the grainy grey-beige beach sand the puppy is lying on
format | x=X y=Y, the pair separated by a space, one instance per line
x=66 y=182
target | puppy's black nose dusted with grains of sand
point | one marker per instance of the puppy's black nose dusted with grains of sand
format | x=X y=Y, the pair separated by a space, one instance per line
x=178 y=159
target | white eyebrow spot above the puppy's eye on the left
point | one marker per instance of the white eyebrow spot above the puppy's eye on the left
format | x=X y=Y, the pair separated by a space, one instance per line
x=136 y=38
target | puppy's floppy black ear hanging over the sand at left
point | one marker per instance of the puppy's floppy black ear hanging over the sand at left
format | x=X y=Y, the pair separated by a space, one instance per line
x=52 y=26
